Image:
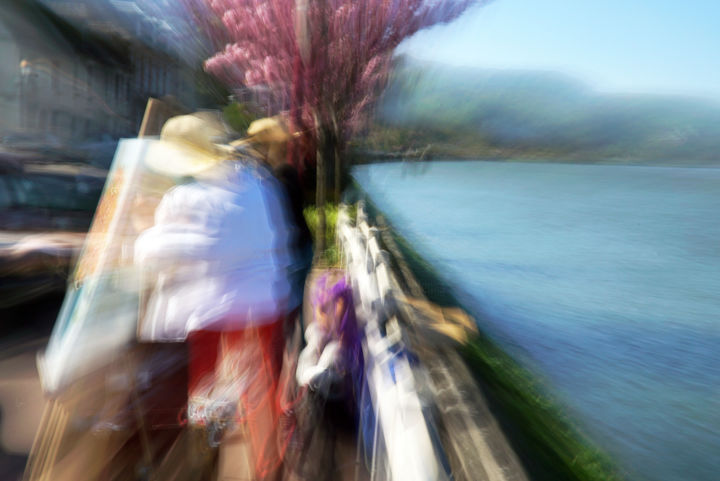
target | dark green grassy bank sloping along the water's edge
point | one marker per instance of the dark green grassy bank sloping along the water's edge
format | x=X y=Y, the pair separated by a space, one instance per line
x=548 y=442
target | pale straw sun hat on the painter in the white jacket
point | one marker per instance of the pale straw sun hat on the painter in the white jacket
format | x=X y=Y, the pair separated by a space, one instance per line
x=190 y=144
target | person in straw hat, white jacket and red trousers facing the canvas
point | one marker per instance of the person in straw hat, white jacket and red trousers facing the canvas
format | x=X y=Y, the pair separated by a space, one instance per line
x=217 y=257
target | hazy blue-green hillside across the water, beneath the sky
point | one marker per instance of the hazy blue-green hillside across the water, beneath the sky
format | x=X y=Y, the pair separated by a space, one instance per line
x=471 y=113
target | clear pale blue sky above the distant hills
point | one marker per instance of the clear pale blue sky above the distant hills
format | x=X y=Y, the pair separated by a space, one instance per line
x=649 y=46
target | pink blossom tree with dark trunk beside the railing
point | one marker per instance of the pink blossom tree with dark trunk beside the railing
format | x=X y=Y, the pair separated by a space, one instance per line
x=321 y=63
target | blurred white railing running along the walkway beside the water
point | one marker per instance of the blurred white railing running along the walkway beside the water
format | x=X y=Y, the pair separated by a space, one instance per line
x=403 y=448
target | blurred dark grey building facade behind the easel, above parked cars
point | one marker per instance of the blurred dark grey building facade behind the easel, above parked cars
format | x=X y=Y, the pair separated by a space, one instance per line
x=68 y=83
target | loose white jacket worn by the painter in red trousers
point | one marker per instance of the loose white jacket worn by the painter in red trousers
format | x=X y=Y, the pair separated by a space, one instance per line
x=217 y=255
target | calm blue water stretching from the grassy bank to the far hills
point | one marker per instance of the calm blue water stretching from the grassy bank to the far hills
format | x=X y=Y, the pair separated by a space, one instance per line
x=604 y=279
